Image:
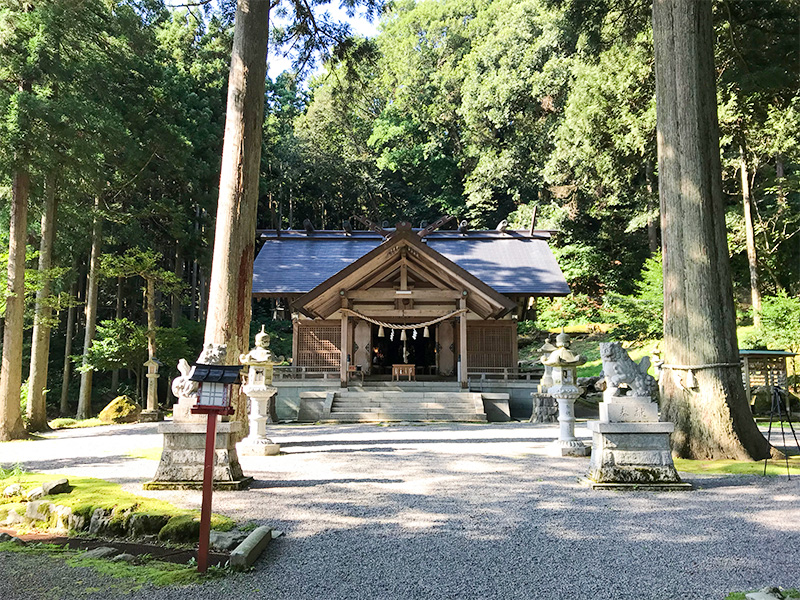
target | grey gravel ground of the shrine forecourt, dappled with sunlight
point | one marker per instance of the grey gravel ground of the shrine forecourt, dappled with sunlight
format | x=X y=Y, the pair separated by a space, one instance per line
x=456 y=511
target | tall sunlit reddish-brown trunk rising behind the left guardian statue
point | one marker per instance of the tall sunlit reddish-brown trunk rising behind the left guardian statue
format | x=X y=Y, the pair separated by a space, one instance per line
x=229 y=304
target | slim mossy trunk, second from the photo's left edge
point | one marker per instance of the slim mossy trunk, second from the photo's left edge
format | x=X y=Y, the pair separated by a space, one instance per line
x=40 y=347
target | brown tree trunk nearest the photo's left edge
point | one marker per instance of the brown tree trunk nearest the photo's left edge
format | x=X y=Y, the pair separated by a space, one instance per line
x=11 y=427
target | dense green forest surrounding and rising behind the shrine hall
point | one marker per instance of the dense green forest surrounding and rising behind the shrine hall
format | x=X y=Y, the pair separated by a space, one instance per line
x=112 y=124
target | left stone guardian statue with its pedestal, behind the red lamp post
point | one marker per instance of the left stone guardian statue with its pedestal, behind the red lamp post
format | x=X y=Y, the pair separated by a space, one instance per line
x=183 y=457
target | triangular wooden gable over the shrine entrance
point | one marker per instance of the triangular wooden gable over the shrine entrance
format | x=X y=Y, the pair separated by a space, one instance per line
x=403 y=279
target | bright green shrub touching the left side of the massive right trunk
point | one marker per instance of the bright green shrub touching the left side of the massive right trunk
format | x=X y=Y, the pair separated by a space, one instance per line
x=639 y=316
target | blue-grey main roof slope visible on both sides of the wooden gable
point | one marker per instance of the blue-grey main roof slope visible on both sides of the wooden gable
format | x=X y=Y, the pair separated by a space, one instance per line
x=510 y=262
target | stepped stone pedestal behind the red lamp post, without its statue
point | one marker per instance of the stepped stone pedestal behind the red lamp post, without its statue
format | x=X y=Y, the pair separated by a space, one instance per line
x=183 y=458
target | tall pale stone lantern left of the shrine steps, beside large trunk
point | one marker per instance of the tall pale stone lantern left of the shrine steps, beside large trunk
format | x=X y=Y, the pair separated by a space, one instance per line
x=259 y=362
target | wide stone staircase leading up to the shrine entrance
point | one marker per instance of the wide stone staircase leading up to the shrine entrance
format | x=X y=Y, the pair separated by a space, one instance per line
x=405 y=401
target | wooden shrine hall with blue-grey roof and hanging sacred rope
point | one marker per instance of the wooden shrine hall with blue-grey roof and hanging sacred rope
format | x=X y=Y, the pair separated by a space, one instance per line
x=406 y=302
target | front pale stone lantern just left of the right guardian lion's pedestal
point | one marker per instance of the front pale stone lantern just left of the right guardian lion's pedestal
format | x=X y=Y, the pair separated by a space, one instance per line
x=564 y=366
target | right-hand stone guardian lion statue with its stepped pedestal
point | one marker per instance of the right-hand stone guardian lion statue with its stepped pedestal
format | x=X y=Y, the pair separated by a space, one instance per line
x=630 y=446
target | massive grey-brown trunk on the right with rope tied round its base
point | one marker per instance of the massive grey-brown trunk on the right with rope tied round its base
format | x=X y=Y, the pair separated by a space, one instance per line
x=712 y=418
